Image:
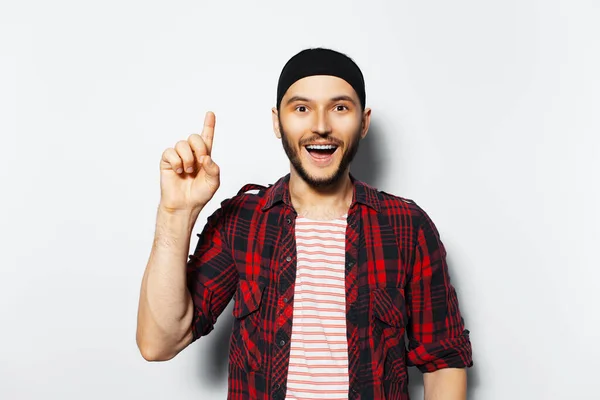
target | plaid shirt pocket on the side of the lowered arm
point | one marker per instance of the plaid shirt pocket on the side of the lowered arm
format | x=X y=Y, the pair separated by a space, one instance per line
x=389 y=319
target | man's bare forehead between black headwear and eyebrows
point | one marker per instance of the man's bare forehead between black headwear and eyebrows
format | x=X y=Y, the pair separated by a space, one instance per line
x=320 y=87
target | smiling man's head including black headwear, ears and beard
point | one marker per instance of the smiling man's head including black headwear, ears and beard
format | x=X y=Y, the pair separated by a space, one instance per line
x=320 y=114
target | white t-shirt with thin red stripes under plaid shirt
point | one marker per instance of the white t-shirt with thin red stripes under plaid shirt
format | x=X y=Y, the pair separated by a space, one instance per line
x=318 y=367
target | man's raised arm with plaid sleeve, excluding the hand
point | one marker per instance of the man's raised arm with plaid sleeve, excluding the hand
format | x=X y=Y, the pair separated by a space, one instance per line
x=180 y=302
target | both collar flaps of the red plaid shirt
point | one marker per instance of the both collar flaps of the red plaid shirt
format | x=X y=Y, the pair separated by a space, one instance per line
x=362 y=194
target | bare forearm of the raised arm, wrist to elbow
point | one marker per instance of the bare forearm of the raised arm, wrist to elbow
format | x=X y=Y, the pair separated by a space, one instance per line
x=165 y=305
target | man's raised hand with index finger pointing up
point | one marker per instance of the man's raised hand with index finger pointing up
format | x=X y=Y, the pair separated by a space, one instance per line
x=188 y=176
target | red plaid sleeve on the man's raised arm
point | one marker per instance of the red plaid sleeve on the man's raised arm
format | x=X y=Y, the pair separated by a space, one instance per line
x=211 y=274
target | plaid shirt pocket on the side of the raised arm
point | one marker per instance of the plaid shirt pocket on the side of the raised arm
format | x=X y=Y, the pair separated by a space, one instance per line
x=247 y=341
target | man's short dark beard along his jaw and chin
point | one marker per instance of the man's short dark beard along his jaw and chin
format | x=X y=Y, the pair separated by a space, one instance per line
x=347 y=157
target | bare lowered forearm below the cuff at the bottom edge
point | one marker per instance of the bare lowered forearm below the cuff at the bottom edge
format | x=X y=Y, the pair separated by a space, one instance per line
x=446 y=384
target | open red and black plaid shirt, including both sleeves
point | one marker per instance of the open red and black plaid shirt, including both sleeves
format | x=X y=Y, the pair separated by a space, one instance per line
x=397 y=283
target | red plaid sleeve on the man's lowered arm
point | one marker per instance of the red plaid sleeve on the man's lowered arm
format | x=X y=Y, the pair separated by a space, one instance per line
x=437 y=337
